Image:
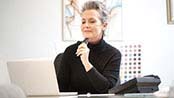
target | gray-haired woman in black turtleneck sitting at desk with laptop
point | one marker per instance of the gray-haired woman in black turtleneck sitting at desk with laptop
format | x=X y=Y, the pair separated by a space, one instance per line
x=91 y=67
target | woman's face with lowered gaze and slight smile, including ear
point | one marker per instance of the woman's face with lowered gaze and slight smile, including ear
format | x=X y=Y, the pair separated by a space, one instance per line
x=92 y=26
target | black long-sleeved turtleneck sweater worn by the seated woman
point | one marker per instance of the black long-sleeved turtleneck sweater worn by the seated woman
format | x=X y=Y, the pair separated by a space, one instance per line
x=105 y=59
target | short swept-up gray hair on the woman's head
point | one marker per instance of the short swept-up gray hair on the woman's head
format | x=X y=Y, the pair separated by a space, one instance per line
x=99 y=6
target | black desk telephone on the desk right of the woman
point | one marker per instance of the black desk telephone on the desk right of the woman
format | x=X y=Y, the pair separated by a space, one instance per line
x=146 y=84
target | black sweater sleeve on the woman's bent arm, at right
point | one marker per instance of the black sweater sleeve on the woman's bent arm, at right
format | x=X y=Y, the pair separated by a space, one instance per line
x=110 y=75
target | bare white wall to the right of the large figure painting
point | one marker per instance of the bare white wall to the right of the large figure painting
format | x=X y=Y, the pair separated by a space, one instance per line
x=145 y=21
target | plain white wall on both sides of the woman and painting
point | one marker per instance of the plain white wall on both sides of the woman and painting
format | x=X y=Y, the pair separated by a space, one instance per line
x=32 y=29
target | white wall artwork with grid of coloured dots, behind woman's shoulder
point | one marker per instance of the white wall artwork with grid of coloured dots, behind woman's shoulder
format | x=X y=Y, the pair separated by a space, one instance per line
x=131 y=64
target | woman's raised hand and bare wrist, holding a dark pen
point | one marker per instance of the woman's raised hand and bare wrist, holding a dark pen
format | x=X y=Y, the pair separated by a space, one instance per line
x=83 y=52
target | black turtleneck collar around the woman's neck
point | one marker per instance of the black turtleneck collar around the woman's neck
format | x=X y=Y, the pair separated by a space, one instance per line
x=98 y=45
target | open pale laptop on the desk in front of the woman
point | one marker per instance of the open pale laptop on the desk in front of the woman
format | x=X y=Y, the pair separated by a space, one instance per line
x=36 y=77
